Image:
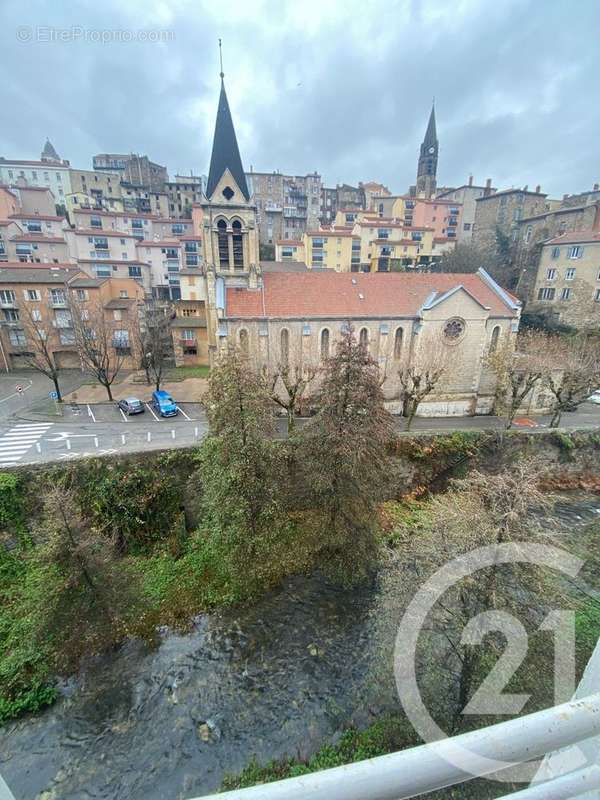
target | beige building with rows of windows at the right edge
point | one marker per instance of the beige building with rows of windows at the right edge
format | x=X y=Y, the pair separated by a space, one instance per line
x=567 y=284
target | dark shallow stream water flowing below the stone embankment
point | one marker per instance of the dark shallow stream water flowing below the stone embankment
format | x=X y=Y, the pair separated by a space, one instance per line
x=277 y=678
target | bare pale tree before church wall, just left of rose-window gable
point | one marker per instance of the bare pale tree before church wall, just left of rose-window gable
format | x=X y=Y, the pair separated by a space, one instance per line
x=419 y=377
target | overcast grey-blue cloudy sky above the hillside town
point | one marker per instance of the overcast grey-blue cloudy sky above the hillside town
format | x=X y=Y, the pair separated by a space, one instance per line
x=343 y=88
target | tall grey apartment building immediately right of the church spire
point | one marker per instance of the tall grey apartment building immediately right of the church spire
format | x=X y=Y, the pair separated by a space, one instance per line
x=286 y=205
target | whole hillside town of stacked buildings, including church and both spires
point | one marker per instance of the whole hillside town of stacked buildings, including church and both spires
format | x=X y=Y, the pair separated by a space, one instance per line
x=178 y=271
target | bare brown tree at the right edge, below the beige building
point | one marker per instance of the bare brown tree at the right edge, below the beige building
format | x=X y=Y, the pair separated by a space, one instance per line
x=572 y=372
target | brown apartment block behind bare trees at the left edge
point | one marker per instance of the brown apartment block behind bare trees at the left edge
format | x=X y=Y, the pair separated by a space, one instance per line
x=37 y=298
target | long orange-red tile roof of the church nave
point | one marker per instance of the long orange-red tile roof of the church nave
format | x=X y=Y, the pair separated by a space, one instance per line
x=353 y=294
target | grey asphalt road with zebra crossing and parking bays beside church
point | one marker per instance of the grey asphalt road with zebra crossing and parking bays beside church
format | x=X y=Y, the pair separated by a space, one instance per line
x=102 y=429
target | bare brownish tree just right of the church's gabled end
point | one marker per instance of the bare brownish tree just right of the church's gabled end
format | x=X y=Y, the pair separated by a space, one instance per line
x=517 y=370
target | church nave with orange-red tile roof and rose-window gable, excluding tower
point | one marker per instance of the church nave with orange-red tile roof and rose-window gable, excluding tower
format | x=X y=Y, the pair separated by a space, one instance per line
x=297 y=319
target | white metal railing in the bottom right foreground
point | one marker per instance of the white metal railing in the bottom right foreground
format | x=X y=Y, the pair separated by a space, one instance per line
x=418 y=770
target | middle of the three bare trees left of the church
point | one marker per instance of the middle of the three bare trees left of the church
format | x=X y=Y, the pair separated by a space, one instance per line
x=102 y=346
